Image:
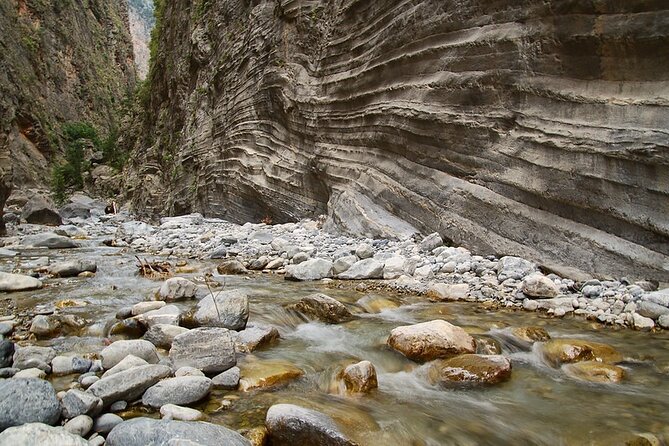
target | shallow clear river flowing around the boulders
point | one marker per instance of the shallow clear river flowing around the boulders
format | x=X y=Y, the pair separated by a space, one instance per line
x=539 y=405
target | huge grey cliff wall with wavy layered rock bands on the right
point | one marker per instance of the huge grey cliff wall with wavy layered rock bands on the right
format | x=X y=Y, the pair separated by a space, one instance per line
x=511 y=127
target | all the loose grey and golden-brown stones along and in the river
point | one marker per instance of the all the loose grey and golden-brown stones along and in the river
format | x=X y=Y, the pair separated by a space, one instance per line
x=196 y=337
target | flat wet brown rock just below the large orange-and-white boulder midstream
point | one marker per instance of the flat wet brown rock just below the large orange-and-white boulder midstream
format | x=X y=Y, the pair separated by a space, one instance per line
x=470 y=369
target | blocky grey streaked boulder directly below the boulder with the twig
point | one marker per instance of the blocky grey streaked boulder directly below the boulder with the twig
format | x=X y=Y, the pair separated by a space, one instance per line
x=209 y=349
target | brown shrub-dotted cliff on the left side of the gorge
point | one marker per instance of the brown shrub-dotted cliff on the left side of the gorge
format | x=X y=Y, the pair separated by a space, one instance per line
x=60 y=61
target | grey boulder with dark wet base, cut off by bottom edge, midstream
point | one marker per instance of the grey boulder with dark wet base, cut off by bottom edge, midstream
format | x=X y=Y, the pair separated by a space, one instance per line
x=289 y=425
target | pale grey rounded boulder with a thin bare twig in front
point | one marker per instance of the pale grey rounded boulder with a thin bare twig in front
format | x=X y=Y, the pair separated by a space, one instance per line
x=226 y=309
